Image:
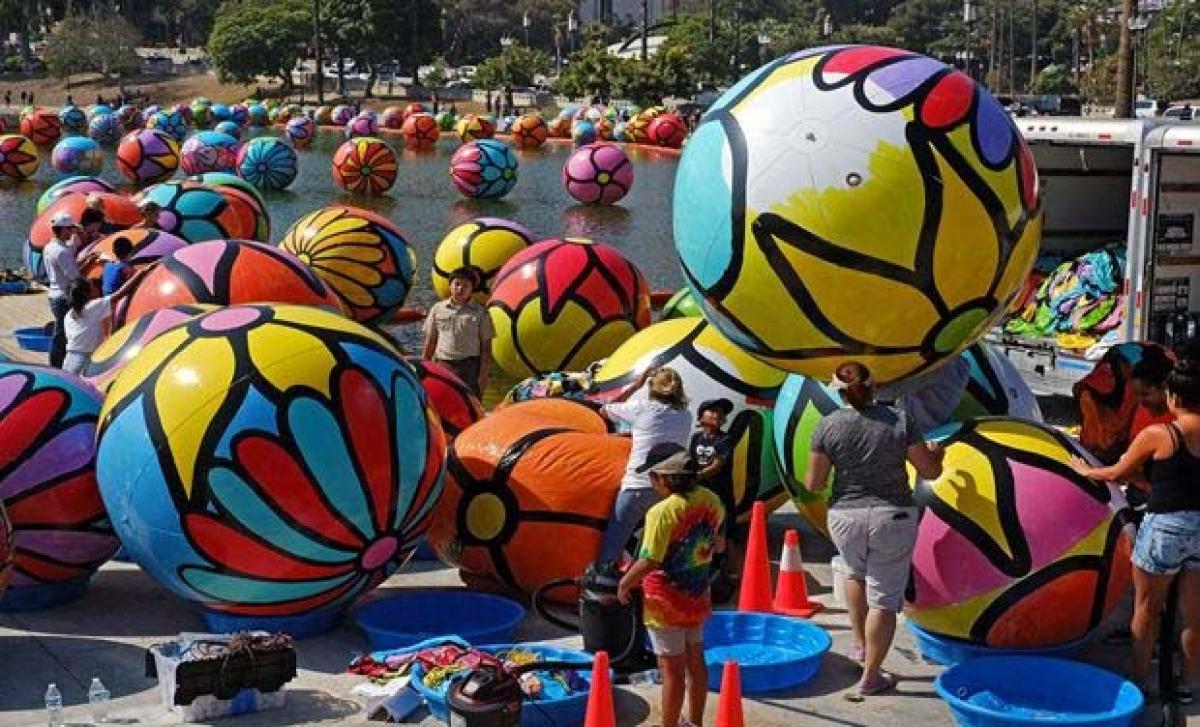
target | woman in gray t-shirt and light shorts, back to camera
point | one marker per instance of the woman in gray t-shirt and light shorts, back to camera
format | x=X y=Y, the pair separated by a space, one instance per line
x=873 y=518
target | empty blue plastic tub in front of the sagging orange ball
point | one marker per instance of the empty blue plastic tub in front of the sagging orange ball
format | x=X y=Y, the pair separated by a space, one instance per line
x=416 y=616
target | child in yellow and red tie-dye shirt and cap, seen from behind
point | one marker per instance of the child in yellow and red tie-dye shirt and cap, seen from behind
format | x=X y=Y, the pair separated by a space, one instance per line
x=683 y=532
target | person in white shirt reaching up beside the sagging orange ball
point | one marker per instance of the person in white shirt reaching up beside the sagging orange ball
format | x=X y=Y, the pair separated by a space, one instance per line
x=661 y=417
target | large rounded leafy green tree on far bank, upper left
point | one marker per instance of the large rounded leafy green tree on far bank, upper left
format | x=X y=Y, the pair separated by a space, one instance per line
x=260 y=39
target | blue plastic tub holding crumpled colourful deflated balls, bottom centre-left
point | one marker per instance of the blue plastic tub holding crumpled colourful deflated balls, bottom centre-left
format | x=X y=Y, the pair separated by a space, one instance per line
x=553 y=711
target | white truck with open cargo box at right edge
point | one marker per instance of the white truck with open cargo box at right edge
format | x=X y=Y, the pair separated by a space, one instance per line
x=1105 y=181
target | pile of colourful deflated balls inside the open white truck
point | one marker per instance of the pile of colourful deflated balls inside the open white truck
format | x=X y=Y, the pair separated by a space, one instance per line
x=1078 y=302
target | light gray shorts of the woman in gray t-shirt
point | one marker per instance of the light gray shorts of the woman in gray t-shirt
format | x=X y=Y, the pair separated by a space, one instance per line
x=877 y=544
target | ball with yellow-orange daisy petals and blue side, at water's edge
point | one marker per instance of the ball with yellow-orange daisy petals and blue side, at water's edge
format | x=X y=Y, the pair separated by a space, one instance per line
x=365 y=260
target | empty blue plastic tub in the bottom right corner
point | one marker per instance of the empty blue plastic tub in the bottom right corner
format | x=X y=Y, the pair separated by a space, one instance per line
x=998 y=692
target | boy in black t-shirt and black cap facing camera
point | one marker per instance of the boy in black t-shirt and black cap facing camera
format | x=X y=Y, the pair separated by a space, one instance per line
x=712 y=450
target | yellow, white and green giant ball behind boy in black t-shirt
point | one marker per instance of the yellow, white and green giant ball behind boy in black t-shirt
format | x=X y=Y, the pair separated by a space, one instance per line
x=711 y=368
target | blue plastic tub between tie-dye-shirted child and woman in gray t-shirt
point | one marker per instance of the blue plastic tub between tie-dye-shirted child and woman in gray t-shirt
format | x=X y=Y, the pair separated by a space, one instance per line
x=773 y=652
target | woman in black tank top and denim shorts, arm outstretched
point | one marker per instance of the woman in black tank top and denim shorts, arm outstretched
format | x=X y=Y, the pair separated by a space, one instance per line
x=1168 y=545
